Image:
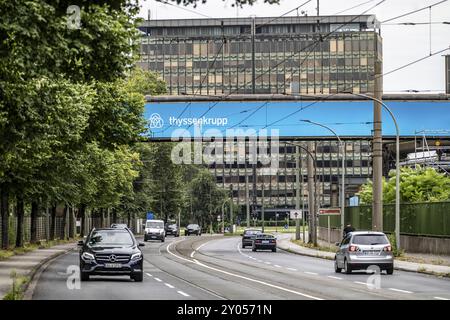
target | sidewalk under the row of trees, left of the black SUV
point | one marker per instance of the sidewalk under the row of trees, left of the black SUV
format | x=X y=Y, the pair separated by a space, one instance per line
x=27 y=264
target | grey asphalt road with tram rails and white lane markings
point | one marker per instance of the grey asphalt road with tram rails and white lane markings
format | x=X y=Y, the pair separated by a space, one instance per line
x=215 y=267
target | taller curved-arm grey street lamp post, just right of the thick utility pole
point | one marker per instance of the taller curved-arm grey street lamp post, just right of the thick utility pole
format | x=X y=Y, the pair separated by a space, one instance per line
x=397 y=166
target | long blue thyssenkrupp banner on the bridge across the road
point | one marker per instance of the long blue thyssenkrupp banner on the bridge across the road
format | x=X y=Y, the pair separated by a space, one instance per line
x=347 y=118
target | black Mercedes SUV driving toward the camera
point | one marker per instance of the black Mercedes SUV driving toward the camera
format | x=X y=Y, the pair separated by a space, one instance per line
x=111 y=251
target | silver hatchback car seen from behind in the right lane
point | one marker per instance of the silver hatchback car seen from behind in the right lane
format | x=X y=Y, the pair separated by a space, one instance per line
x=361 y=249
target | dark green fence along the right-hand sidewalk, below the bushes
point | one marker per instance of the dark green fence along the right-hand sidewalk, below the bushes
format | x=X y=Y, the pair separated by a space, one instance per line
x=421 y=219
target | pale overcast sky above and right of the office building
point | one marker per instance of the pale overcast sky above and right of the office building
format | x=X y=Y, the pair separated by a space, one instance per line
x=401 y=44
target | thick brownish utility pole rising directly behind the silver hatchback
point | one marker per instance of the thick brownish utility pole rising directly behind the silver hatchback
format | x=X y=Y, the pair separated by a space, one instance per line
x=377 y=153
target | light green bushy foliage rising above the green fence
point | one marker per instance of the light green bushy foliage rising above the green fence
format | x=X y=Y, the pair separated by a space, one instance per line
x=416 y=185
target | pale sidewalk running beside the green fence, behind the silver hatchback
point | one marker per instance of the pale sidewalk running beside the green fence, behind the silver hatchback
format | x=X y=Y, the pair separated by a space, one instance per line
x=284 y=242
